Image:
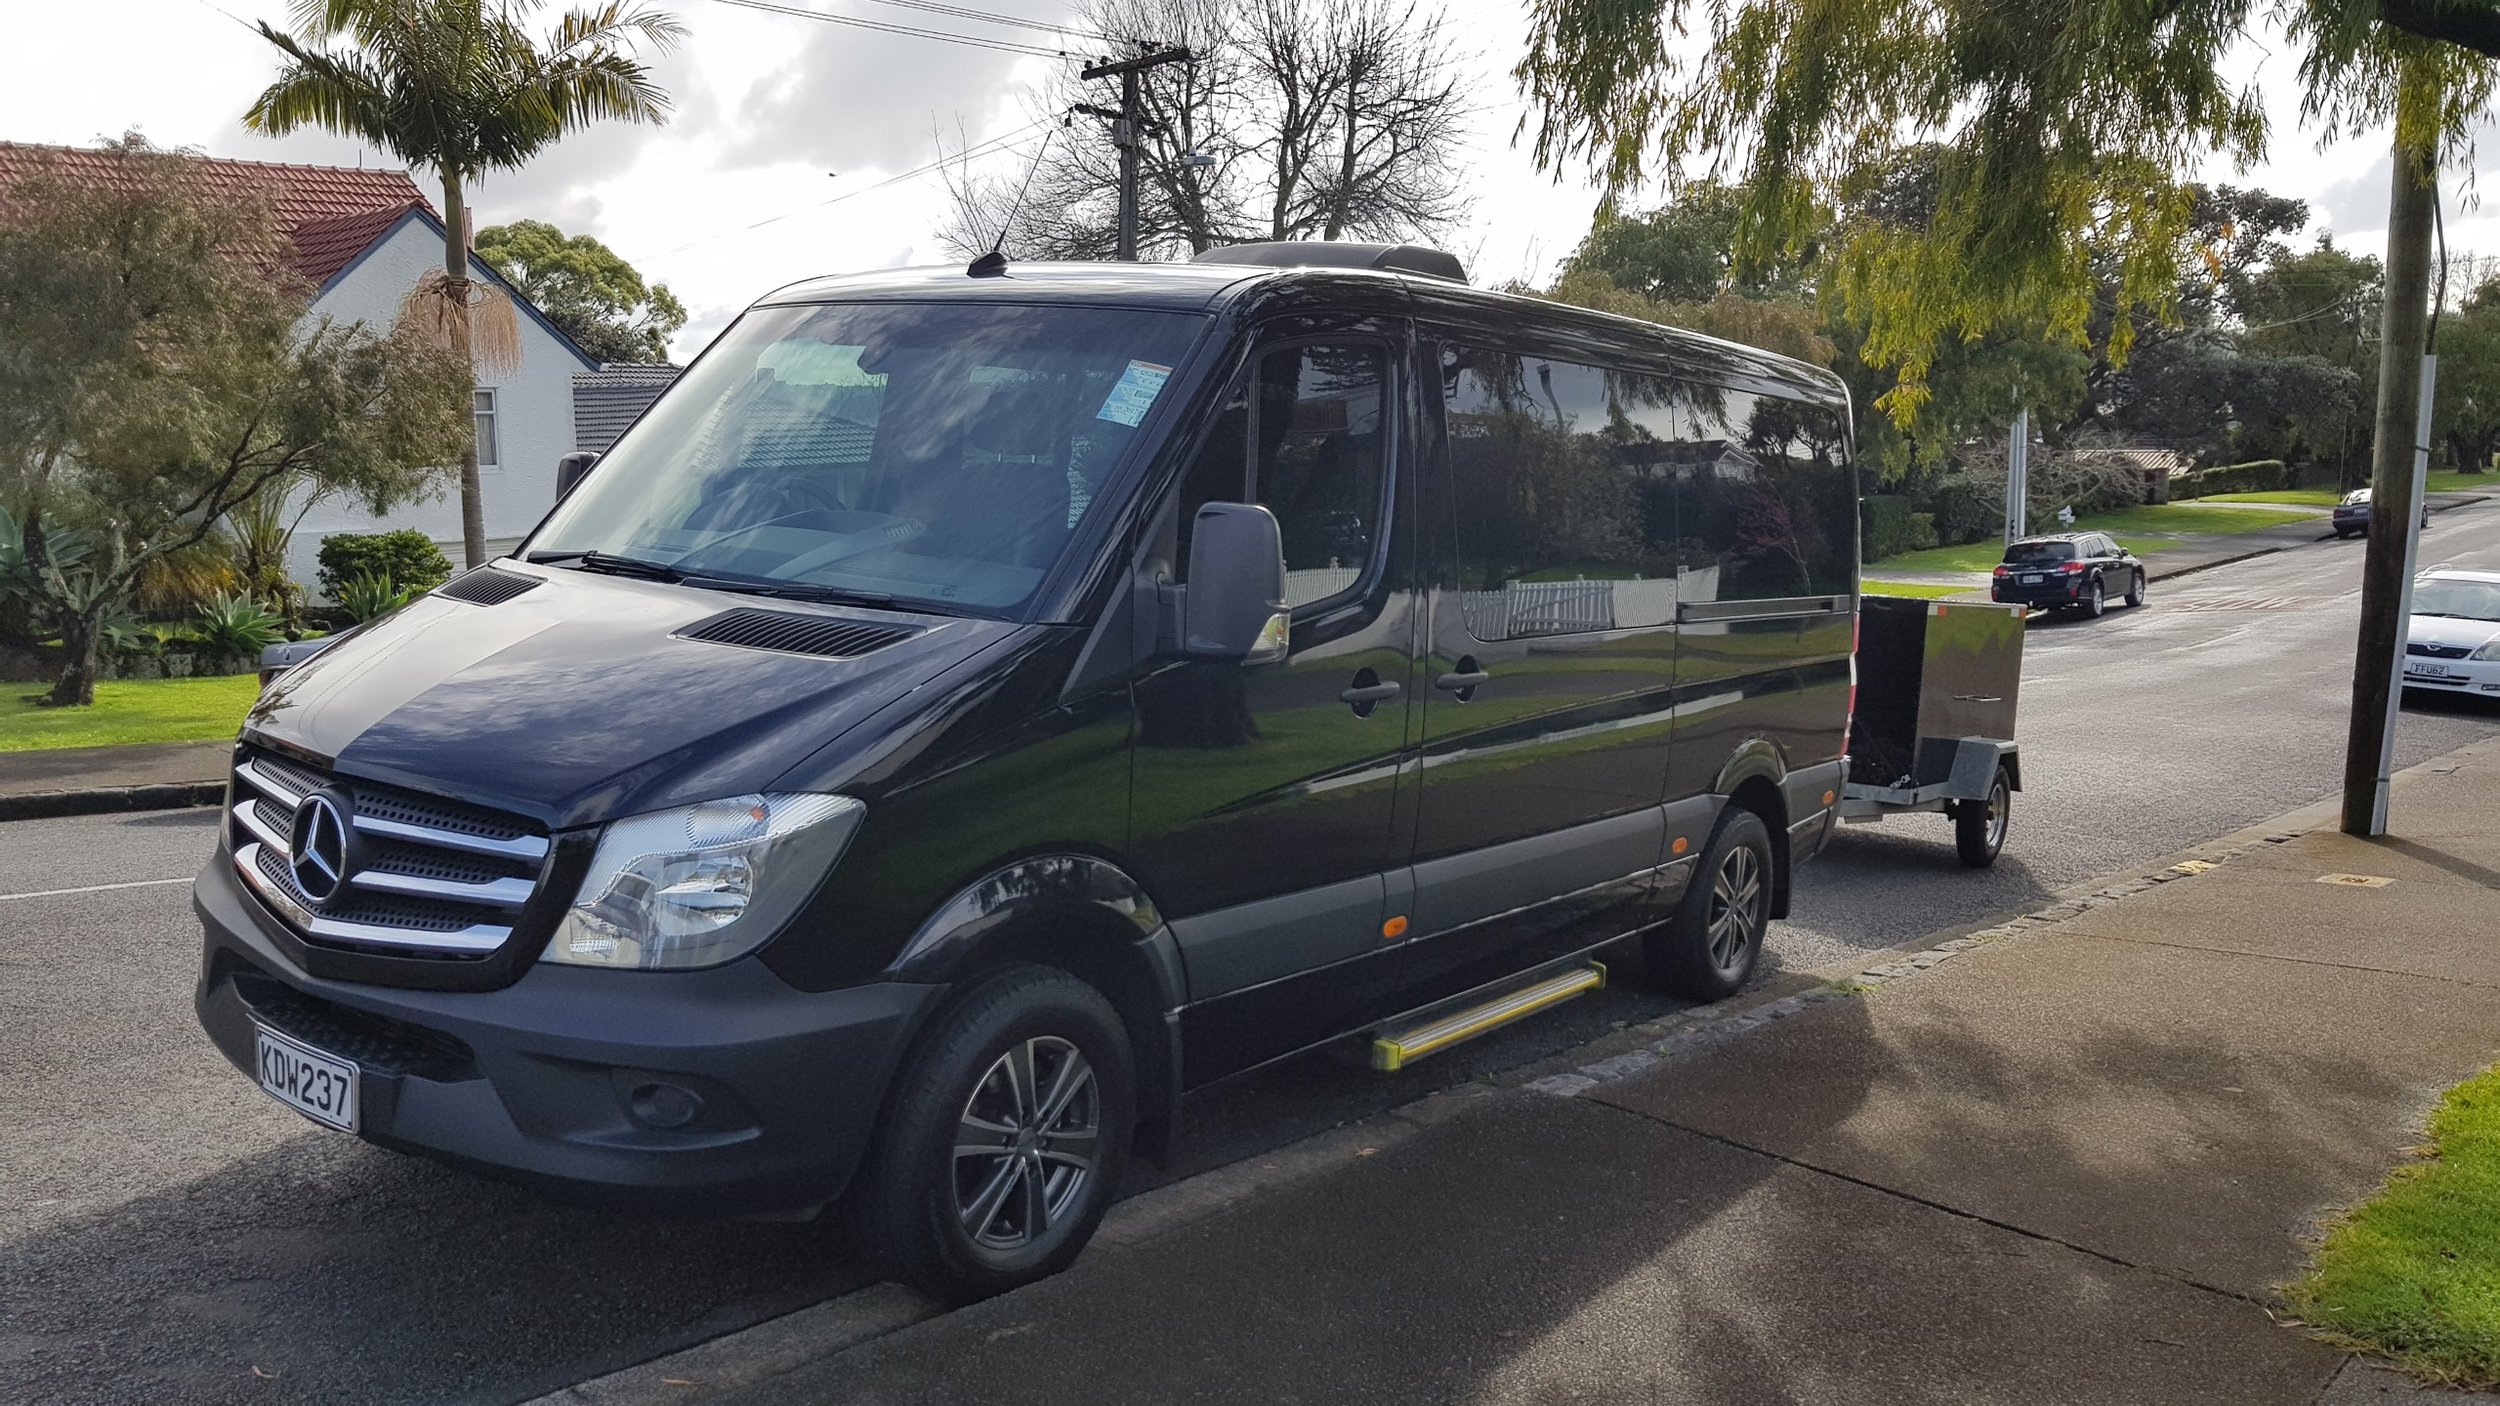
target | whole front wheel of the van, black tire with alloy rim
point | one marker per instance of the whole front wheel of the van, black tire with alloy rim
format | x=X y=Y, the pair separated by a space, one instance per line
x=966 y=1225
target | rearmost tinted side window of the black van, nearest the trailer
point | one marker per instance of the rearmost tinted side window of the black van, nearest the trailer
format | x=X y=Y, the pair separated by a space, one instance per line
x=1766 y=499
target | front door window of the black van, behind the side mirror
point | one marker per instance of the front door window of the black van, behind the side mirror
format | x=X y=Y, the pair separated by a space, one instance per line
x=1306 y=437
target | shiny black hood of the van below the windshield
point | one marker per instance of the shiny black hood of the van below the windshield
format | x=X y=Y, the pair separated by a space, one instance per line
x=579 y=699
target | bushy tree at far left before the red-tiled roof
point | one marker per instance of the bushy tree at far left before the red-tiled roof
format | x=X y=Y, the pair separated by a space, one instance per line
x=161 y=379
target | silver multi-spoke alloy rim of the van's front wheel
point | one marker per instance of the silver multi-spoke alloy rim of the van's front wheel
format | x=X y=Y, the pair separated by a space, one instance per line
x=1029 y=1145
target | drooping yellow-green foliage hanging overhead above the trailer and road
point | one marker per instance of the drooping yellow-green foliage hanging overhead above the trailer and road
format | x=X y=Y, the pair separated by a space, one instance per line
x=2056 y=129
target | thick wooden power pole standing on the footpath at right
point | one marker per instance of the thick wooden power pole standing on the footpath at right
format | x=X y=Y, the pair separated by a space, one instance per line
x=2401 y=437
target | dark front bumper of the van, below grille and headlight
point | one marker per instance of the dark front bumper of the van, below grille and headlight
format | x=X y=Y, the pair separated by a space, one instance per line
x=551 y=1080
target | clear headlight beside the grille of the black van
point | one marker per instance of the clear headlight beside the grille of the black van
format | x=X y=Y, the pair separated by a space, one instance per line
x=704 y=884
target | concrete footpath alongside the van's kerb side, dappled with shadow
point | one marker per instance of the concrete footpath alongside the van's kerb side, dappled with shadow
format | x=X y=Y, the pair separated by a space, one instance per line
x=2066 y=1160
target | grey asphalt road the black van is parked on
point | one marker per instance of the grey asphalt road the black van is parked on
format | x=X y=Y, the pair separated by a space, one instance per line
x=171 y=1235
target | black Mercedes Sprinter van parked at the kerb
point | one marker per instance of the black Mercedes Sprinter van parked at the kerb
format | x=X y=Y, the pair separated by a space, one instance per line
x=976 y=709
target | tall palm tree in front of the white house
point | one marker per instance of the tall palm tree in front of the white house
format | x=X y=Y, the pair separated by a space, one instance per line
x=461 y=89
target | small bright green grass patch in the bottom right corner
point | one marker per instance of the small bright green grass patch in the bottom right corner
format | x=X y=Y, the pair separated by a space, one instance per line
x=2416 y=1272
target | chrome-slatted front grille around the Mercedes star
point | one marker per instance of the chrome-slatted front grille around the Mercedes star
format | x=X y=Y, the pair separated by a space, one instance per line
x=436 y=879
